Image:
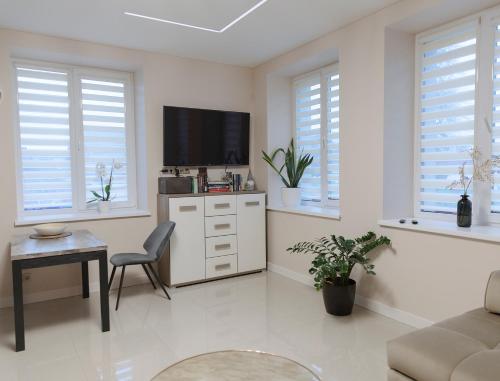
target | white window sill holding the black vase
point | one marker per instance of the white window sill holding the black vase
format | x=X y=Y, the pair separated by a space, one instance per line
x=482 y=233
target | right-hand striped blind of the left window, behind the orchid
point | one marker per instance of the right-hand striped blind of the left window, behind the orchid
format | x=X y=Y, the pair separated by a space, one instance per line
x=105 y=134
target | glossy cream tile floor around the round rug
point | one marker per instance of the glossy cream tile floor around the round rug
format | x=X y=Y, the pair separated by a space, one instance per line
x=264 y=312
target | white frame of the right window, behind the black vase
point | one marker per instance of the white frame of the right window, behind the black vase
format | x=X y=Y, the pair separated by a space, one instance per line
x=483 y=108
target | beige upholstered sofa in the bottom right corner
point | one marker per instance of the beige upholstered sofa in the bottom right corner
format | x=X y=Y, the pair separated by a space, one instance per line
x=463 y=348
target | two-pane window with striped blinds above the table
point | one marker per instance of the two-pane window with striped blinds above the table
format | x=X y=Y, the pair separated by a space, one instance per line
x=69 y=120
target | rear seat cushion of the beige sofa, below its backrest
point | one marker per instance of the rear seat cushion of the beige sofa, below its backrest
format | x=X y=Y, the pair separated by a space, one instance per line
x=478 y=324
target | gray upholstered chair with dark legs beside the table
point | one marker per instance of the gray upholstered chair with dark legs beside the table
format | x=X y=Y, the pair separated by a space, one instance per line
x=155 y=246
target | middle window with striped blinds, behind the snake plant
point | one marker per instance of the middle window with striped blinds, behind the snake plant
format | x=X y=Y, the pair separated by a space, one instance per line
x=317 y=100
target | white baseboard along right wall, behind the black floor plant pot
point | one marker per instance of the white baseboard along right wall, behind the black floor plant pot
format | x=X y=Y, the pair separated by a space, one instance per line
x=372 y=305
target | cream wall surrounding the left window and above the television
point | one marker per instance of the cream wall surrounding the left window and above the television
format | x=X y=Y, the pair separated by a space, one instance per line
x=160 y=80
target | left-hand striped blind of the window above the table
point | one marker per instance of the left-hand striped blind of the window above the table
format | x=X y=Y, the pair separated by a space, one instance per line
x=44 y=138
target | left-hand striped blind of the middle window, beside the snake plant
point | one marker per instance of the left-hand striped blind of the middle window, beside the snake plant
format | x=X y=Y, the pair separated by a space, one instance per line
x=308 y=132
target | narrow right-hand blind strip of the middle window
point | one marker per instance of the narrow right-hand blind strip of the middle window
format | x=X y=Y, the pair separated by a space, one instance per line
x=333 y=104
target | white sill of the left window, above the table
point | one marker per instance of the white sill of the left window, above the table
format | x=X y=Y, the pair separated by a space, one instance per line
x=82 y=216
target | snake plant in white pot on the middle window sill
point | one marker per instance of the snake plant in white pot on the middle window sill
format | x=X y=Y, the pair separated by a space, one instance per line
x=294 y=167
